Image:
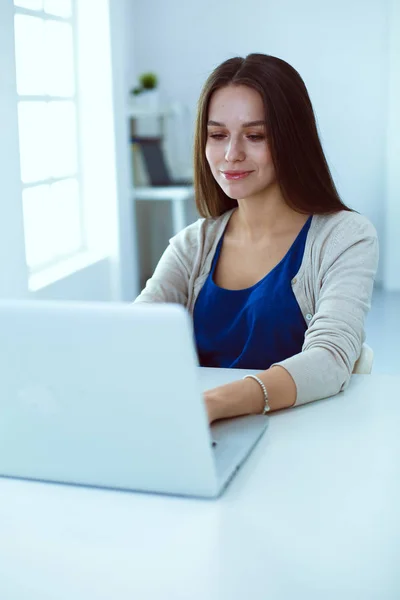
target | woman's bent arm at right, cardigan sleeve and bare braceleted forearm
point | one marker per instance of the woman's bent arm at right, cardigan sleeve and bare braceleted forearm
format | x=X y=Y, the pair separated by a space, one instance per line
x=332 y=342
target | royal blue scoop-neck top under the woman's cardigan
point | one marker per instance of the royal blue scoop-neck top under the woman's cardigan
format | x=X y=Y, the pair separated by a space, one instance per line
x=255 y=327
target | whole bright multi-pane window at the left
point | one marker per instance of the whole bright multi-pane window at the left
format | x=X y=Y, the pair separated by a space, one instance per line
x=45 y=48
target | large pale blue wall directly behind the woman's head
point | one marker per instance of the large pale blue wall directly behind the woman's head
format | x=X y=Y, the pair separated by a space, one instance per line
x=340 y=48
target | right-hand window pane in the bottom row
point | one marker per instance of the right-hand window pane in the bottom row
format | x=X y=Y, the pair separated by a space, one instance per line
x=67 y=219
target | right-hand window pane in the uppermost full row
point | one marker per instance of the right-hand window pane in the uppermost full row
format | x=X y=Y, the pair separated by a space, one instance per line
x=60 y=59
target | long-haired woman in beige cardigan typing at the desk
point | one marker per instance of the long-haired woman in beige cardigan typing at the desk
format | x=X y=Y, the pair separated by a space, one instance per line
x=278 y=274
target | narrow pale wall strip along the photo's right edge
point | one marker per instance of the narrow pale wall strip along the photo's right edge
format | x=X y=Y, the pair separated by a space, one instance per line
x=392 y=245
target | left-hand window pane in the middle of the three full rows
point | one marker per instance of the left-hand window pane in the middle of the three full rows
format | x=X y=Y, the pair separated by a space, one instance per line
x=33 y=141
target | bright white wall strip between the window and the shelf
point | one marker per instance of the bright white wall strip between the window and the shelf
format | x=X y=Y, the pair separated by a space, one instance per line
x=104 y=132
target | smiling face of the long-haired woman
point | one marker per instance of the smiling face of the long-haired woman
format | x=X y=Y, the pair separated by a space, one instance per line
x=237 y=149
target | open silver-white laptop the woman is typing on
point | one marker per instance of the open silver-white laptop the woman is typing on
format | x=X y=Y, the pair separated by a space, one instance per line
x=110 y=395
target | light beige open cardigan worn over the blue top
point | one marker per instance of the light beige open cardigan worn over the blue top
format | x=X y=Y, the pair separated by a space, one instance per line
x=333 y=288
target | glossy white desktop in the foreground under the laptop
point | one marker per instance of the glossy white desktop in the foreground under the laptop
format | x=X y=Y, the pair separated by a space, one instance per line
x=314 y=514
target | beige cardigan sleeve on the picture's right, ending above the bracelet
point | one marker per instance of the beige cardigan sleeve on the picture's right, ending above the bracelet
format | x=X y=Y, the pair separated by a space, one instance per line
x=334 y=338
